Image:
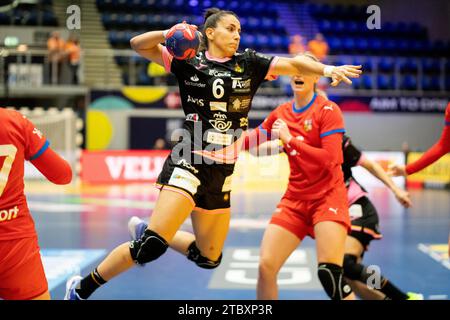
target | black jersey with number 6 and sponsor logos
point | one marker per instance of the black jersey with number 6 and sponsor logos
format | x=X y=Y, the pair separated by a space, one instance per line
x=216 y=98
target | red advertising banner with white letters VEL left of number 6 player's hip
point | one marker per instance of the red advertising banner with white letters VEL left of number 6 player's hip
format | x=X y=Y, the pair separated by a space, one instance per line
x=122 y=166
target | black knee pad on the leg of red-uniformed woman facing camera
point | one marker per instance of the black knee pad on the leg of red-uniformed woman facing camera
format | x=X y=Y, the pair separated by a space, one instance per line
x=331 y=277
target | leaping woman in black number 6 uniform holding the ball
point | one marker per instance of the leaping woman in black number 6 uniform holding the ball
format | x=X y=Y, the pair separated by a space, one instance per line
x=216 y=89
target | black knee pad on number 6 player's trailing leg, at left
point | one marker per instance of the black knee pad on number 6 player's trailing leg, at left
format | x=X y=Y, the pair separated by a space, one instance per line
x=148 y=248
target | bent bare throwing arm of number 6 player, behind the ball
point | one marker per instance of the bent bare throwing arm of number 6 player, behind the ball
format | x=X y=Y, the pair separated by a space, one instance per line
x=149 y=45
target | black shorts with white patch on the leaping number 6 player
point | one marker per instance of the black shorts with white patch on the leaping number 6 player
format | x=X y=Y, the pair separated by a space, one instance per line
x=209 y=185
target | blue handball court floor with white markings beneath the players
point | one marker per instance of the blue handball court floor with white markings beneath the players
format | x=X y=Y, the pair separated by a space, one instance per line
x=79 y=224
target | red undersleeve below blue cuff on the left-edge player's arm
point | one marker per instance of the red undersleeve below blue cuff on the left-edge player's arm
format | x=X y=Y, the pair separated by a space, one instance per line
x=53 y=167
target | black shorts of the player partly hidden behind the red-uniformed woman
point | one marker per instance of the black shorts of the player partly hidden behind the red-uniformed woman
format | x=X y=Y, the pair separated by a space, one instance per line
x=365 y=227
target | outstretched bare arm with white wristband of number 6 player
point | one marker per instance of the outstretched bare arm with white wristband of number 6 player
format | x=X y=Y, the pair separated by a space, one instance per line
x=307 y=66
